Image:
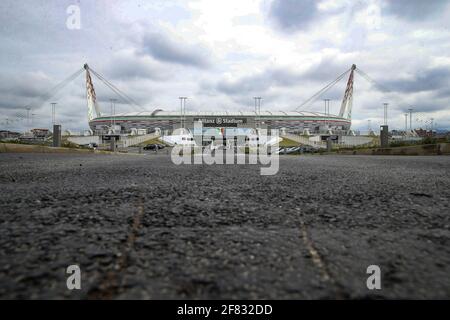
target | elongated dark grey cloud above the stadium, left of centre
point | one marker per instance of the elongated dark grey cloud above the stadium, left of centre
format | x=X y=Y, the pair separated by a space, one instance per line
x=164 y=49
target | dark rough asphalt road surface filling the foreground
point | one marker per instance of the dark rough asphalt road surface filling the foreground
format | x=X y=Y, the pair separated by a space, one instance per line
x=141 y=227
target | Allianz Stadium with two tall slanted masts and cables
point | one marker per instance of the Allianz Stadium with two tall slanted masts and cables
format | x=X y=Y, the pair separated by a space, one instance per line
x=168 y=121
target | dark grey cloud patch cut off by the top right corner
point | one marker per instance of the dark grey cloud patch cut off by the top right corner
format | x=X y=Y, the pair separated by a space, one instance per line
x=415 y=9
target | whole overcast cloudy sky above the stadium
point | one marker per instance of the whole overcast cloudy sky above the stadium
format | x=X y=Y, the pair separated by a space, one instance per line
x=221 y=54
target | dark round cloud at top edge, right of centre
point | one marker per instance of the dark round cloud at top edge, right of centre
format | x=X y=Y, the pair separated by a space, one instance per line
x=292 y=15
